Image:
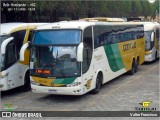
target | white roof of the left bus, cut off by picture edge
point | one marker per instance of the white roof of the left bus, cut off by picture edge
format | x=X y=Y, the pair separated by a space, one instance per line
x=7 y=28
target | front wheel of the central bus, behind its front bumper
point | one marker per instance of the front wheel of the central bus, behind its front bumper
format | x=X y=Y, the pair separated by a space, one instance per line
x=98 y=84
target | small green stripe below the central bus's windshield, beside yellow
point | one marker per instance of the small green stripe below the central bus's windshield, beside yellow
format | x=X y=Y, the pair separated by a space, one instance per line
x=64 y=80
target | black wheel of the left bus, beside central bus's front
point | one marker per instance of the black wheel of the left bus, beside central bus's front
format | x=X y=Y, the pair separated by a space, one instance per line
x=26 y=87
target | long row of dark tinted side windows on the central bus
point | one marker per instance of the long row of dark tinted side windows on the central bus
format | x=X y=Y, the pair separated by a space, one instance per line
x=104 y=35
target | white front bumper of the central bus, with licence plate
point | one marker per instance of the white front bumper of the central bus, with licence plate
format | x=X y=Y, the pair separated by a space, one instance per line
x=76 y=90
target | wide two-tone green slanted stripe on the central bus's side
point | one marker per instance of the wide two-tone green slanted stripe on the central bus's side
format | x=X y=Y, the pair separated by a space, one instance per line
x=114 y=57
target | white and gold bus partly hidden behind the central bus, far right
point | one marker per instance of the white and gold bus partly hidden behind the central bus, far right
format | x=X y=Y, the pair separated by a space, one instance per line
x=152 y=49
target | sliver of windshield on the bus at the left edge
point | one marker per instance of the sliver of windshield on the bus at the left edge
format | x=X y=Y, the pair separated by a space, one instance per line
x=2 y=38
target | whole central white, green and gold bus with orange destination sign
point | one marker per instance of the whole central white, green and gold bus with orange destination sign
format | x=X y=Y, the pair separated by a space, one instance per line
x=75 y=57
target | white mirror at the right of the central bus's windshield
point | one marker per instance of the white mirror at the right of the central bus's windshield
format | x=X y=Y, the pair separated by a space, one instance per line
x=80 y=52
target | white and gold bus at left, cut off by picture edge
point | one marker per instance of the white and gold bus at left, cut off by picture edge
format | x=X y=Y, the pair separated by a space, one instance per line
x=14 y=73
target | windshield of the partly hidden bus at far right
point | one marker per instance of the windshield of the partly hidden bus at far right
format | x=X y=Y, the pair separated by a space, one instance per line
x=148 y=40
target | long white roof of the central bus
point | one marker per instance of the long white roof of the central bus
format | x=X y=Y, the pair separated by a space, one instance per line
x=78 y=24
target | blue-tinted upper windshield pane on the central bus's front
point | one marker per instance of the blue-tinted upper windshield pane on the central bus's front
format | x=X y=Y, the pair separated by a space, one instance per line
x=57 y=37
